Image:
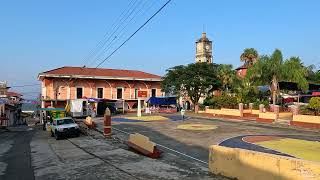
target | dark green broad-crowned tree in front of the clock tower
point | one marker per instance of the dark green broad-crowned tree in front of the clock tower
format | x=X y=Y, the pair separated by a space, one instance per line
x=192 y=81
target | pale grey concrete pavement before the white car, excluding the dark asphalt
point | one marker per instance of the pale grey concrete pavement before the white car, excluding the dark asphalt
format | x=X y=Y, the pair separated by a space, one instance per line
x=94 y=157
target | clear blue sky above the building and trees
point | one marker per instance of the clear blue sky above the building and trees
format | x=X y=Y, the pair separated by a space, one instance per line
x=39 y=35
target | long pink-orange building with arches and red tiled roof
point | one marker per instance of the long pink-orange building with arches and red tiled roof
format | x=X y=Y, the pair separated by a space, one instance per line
x=67 y=83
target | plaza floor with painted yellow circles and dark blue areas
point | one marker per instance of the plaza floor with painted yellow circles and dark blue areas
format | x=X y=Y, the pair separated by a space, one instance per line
x=192 y=136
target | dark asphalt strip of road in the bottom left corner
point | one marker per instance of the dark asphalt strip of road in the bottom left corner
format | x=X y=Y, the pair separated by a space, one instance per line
x=15 y=155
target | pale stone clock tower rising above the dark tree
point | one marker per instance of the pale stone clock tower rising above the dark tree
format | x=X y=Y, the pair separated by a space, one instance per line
x=204 y=49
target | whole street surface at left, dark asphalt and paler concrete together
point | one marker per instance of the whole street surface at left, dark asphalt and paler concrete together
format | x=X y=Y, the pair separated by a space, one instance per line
x=35 y=155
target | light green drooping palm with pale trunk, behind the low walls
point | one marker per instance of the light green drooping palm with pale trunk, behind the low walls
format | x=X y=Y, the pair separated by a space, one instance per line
x=272 y=69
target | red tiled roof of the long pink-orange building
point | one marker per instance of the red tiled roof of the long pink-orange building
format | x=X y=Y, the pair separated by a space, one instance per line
x=101 y=72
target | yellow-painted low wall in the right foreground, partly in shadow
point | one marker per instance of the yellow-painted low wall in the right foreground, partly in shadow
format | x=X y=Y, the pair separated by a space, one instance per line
x=252 y=165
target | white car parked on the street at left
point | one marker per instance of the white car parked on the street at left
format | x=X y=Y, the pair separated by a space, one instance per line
x=62 y=127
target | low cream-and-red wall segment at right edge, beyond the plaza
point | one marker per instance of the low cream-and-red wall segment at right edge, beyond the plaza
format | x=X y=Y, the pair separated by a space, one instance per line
x=306 y=121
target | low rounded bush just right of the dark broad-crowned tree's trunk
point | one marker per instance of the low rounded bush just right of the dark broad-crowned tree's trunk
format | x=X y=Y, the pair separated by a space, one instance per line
x=223 y=101
